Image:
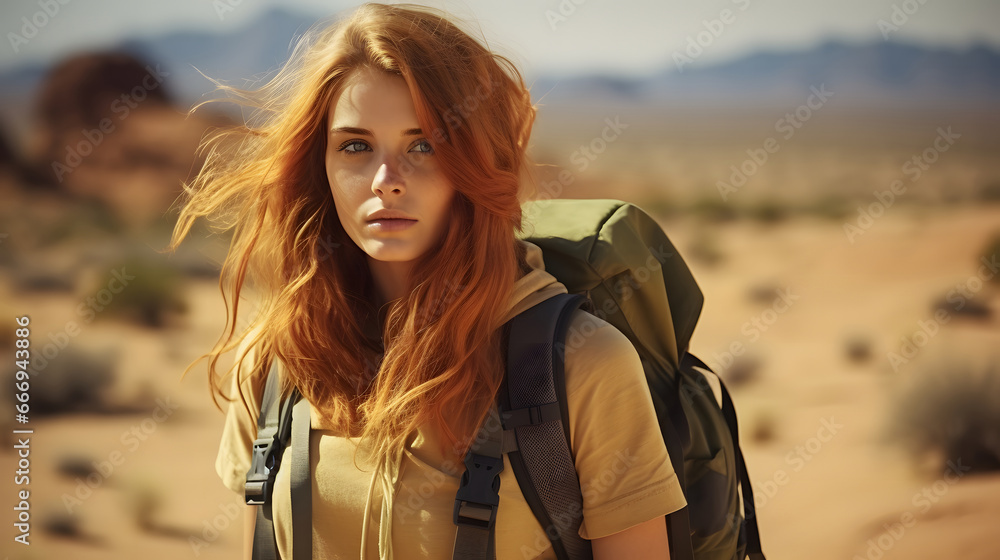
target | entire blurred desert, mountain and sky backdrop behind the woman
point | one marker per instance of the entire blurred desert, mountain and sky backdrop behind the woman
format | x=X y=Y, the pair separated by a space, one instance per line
x=828 y=170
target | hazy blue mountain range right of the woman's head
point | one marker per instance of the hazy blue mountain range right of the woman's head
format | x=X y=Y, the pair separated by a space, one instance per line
x=875 y=74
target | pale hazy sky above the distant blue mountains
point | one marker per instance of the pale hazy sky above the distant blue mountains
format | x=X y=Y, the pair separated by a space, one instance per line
x=561 y=36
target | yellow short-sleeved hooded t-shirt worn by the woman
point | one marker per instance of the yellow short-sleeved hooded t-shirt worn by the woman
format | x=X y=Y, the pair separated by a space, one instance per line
x=625 y=472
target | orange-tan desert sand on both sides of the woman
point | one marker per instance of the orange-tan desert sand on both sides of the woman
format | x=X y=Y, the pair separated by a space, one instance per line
x=828 y=486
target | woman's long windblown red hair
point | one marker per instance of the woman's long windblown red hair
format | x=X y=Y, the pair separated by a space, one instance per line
x=266 y=181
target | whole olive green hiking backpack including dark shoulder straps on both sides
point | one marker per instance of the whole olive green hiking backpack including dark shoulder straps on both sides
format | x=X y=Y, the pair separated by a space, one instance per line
x=617 y=263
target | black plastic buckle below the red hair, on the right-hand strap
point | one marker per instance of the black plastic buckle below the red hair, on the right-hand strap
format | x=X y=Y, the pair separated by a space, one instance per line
x=478 y=494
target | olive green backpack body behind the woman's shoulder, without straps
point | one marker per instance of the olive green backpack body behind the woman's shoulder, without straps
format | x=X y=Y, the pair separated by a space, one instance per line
x=632 y=276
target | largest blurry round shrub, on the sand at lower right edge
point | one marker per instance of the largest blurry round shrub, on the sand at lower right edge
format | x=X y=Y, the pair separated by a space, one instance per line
x=950 y=410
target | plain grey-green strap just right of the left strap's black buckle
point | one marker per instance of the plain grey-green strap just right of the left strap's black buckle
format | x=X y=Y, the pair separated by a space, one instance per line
x=301 y=483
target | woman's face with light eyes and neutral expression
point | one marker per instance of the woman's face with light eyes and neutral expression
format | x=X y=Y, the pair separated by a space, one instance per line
x=378 y=159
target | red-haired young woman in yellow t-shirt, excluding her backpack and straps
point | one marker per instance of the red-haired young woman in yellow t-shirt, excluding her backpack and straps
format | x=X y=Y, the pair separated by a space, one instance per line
x=375 y=200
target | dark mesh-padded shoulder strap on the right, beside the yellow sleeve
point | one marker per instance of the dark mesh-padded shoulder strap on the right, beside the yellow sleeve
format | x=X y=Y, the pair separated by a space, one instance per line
x=532 y=419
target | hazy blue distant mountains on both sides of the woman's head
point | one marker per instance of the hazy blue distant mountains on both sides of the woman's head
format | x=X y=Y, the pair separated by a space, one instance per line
x=878 y=75
